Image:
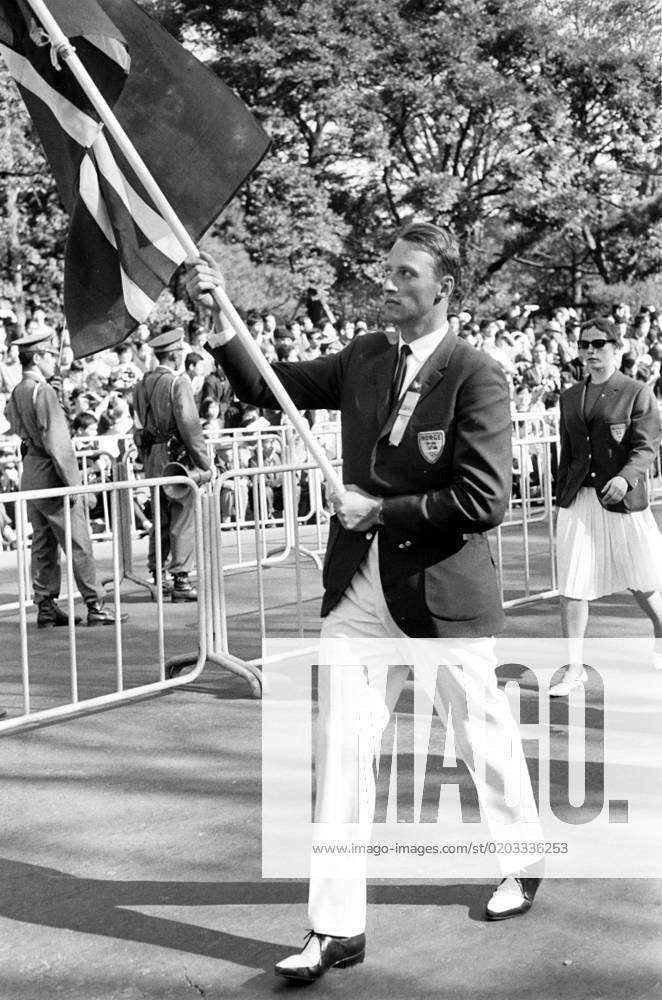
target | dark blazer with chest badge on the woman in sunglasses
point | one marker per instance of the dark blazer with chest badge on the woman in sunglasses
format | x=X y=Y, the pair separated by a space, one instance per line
x=620 y=437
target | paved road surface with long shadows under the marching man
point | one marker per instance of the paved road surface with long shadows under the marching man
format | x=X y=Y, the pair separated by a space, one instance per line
x=130 y=860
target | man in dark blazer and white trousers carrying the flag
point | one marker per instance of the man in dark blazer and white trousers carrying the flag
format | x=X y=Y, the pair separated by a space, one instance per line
x=426 y=459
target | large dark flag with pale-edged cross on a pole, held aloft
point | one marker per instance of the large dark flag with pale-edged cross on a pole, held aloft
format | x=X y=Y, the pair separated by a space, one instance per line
x=197 y=138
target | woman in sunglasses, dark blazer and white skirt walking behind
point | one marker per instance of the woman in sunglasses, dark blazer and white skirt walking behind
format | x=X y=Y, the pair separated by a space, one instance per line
x=607 y=537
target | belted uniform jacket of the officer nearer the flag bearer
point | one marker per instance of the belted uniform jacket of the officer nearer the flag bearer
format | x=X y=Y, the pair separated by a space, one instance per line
x=164 y=405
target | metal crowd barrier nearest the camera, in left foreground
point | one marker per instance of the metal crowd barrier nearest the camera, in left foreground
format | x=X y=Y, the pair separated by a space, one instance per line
x=166 y=676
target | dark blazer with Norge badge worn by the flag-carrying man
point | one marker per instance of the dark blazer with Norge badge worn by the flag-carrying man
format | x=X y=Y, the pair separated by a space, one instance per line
x=436 y=569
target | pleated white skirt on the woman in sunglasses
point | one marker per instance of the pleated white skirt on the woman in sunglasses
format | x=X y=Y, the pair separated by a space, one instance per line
x=601 y=552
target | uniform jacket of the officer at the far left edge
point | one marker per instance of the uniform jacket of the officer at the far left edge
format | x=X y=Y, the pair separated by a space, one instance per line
x=36 y=416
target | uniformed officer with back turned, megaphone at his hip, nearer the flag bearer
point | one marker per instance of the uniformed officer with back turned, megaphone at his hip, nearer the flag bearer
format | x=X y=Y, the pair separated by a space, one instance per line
x=165 y=415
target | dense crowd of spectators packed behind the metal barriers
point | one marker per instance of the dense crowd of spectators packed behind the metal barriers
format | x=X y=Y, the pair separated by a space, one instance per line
x=537 y=352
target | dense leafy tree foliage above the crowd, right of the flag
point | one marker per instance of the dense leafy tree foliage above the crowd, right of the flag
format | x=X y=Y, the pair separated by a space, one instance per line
x=533 y=127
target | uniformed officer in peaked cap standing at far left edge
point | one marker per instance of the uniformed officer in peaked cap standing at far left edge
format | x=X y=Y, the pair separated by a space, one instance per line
x=36 y=416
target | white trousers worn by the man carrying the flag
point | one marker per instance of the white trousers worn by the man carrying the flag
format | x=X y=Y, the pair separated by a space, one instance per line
x=355 y=706
